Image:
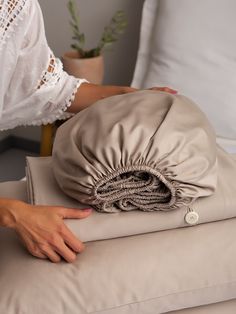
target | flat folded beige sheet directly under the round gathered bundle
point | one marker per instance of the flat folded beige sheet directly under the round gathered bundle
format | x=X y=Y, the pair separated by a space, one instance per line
x=43 y=189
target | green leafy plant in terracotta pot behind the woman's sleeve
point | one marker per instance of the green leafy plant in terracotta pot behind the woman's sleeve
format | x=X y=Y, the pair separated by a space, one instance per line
x=89 y=63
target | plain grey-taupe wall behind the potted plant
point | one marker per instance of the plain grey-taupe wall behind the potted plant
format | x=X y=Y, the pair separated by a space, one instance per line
x=95 y=14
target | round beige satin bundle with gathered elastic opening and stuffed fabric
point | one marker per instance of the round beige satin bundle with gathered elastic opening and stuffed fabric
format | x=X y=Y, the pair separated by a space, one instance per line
x=140 y=151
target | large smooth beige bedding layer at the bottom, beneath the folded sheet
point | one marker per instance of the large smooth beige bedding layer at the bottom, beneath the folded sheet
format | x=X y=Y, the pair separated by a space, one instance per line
x=151 y=273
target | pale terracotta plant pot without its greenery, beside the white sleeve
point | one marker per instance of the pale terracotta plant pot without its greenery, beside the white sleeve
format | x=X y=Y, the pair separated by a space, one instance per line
x=91 y=69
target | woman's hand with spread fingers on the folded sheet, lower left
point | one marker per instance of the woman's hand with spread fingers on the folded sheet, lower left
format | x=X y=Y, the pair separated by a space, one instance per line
x=42 y=229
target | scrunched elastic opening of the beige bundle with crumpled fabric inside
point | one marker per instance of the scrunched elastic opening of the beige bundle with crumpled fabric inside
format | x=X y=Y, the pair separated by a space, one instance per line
x=137 y=188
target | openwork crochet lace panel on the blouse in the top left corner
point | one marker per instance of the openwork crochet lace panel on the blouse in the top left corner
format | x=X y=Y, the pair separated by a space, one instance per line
x=11 y=13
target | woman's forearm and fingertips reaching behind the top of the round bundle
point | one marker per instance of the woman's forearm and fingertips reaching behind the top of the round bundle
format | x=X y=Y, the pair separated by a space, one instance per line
x=89 y=93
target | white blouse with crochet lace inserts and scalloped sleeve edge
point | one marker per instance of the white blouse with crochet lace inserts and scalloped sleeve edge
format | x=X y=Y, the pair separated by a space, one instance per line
x=34 y=89
